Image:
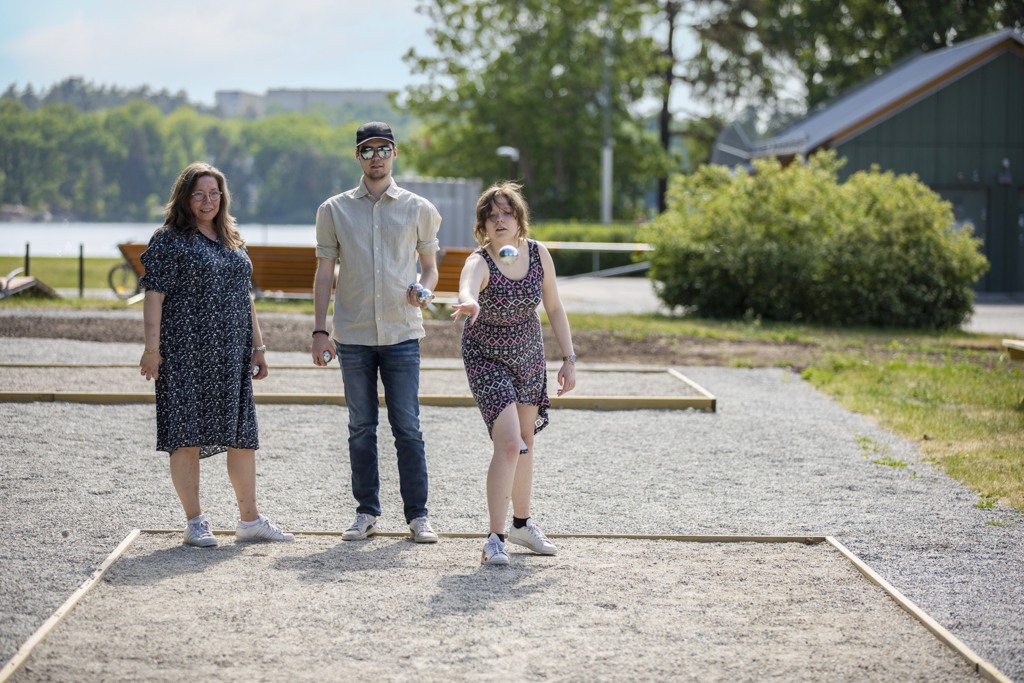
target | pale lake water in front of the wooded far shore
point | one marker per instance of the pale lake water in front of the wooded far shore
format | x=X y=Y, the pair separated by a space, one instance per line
x=102 y=240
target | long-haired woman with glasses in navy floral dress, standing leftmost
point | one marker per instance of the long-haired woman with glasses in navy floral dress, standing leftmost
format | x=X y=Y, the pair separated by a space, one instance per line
x=203 y=350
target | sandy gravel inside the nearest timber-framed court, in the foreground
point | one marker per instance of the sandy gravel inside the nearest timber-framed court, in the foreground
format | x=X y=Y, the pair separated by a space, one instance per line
x=623 y=611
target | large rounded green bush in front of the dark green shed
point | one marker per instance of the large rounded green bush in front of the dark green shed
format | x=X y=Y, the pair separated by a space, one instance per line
x=796 y=245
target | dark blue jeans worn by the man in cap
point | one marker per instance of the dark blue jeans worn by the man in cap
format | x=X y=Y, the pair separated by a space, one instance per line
x=399 y=366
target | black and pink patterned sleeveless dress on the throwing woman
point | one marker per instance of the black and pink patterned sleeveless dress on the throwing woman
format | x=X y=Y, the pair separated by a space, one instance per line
x=503 y=351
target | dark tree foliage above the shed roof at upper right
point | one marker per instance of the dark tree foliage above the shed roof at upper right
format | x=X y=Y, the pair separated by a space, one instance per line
x=749 y=49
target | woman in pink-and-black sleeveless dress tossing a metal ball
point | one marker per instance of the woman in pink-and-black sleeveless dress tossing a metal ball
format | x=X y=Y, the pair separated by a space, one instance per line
x=503 y=353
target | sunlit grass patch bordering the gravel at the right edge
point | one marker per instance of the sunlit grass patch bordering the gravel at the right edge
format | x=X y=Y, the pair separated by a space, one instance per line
x=963 y=408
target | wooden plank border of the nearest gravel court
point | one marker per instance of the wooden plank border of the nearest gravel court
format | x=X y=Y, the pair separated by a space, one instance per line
x=985 y=669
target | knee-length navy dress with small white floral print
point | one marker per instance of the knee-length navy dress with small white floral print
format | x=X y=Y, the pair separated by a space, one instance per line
x=204 y=394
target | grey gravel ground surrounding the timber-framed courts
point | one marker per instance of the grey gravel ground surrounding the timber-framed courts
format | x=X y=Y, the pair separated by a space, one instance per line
x=777 y=459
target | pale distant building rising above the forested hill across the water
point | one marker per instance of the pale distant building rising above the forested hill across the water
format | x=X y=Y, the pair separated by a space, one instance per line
x=249 y=106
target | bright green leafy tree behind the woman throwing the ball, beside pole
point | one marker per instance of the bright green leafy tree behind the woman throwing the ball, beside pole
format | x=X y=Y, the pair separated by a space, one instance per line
x=531 y=75
